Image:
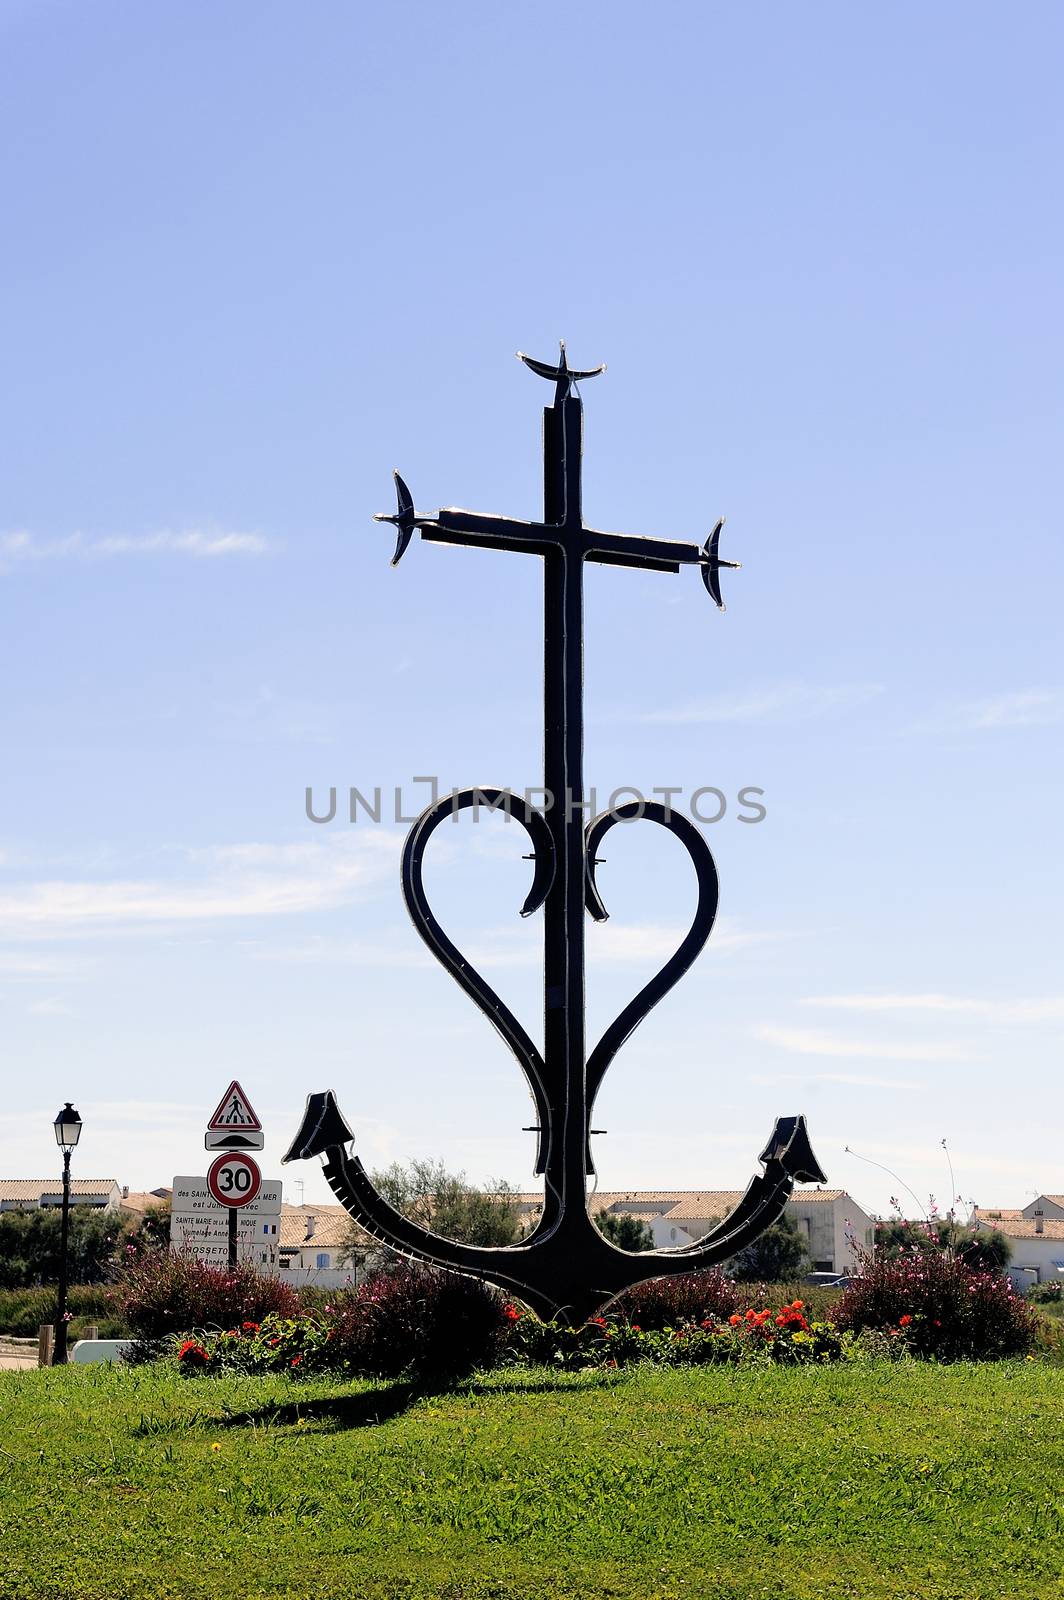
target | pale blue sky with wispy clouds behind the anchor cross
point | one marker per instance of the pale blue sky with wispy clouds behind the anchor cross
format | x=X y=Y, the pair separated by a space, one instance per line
x=257 y=257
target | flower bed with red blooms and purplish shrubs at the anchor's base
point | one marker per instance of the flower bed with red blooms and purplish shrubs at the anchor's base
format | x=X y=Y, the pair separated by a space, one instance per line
x=436 y=1326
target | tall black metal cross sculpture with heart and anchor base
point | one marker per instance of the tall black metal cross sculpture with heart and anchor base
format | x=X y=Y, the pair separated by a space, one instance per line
x=564 y=1268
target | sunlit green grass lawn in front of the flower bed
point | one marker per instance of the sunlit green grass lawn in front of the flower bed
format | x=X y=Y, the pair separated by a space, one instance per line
x=895 y=1482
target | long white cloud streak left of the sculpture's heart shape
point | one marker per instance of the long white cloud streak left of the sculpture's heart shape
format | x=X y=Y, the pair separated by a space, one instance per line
x=242 y=881
